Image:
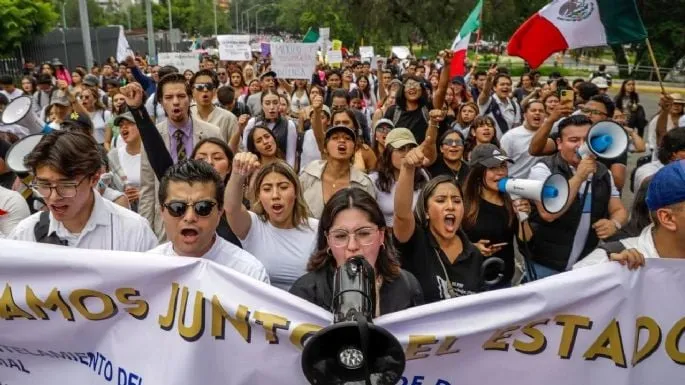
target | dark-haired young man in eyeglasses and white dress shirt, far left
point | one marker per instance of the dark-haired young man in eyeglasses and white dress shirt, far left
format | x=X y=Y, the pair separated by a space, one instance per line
x=66 y=166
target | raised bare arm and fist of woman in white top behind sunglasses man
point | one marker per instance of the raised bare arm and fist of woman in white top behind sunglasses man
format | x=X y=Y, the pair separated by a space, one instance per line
x=244 y=164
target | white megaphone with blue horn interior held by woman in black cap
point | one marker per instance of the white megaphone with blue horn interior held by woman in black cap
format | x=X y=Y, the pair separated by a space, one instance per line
x=552 y=193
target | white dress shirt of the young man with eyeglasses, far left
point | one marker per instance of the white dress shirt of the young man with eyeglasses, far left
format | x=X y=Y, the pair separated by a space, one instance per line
x=110 y=227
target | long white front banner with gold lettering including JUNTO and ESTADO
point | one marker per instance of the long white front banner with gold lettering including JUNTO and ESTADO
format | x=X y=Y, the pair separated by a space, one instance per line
x=82 y=317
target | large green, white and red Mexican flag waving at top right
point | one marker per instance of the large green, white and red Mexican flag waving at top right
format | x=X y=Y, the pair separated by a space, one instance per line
x=570 y=24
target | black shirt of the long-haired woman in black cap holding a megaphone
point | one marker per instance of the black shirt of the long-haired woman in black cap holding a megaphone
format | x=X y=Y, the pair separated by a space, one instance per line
x=493 y=224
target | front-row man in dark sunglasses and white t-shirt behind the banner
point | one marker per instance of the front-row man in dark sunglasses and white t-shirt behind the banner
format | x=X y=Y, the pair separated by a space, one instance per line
x=192 y=199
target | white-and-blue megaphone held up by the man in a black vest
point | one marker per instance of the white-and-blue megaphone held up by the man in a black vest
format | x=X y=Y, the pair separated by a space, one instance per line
x=606 y=139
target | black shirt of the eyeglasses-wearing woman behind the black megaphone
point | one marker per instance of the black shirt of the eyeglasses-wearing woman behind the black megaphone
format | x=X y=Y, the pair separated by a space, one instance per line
x=399 y=294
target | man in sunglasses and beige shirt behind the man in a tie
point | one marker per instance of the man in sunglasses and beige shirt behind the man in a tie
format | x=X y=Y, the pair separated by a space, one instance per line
x=205 y=84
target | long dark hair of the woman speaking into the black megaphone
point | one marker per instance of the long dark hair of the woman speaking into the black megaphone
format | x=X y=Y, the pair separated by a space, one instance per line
x=387 y=264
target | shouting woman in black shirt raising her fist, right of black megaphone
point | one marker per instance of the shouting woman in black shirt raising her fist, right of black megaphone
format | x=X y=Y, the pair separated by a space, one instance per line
x=430 y=240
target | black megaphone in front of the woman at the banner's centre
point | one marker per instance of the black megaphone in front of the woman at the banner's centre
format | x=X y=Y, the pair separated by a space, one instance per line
x=353 y=350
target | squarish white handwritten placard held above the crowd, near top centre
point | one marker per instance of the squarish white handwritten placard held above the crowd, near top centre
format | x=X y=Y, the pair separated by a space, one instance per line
x=293 y=60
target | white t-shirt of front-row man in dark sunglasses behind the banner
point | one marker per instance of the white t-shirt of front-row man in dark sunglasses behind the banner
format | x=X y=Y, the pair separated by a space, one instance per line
x=226 y=254
